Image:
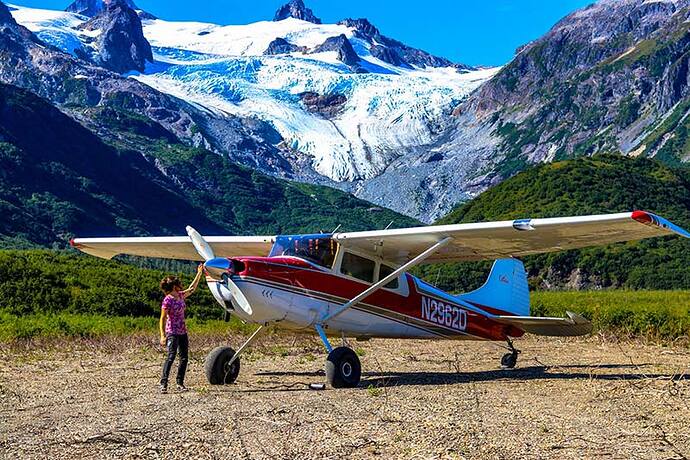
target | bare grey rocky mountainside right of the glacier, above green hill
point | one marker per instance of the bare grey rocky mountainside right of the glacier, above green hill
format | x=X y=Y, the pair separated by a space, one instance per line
x=610 y=77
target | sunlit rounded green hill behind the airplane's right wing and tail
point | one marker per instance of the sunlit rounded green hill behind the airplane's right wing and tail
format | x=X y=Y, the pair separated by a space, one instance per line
x=601 y=184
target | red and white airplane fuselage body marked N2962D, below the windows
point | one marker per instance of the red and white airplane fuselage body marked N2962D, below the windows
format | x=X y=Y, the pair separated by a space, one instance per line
x=294 y=293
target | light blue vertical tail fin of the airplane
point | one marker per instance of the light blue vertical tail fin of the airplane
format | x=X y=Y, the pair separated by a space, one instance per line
x=505 y=291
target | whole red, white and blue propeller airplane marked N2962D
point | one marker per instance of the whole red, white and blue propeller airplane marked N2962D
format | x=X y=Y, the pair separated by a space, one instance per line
x=356 y=284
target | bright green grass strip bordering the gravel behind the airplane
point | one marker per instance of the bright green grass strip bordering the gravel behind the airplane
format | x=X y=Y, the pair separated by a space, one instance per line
x=662 y=315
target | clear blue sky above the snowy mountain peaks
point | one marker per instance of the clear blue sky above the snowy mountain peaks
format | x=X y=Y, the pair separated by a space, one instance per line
x=469 y=31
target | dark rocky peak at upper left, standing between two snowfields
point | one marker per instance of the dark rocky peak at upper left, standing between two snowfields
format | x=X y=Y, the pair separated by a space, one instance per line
x=121 y=44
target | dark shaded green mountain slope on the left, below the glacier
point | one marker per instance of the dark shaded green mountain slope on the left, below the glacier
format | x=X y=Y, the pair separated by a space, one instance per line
x=58 y=179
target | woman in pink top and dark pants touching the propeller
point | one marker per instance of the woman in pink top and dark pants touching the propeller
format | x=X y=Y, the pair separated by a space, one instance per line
x=173 y=328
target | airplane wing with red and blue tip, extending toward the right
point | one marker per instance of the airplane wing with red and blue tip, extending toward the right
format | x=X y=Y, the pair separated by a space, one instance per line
x=512 y=238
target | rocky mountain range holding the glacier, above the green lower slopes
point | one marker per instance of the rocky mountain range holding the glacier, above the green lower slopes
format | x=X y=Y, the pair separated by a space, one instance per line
x=611 y=77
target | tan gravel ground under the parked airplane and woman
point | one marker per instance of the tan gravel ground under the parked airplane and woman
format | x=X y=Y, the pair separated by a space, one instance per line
x=583 y=398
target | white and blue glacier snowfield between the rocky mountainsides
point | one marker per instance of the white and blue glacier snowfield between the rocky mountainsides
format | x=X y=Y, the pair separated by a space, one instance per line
x=346 y=101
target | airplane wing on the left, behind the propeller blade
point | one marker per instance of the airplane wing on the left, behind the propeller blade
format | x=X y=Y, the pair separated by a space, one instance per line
x=174 y=247
